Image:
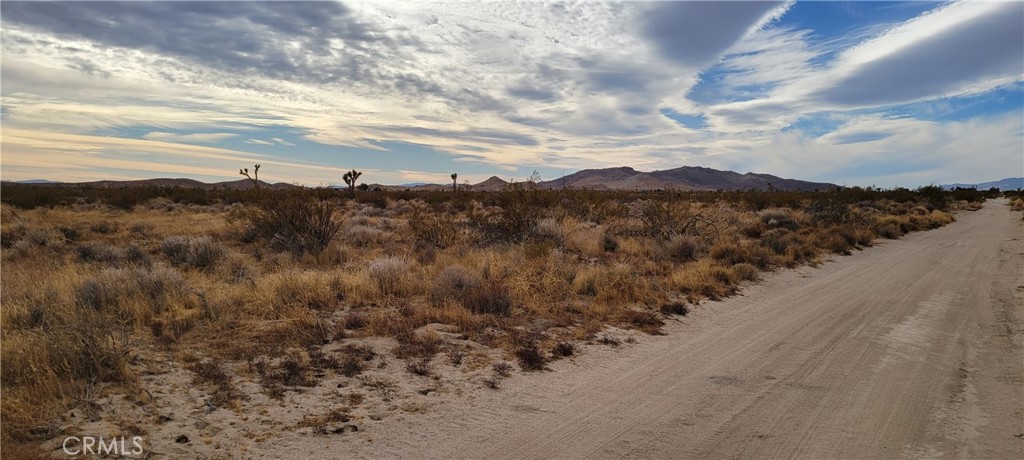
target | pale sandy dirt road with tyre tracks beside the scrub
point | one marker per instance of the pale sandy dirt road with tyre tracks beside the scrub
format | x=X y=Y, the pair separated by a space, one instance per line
x=913 y=349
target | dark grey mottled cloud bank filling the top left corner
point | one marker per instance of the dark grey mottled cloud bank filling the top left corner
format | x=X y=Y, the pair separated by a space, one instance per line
x=282 y=40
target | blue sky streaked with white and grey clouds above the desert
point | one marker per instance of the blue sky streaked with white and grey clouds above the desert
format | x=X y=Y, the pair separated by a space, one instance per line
x=856 y=94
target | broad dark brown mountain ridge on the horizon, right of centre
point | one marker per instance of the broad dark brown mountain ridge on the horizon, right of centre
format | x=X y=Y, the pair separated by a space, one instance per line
x=684 y=179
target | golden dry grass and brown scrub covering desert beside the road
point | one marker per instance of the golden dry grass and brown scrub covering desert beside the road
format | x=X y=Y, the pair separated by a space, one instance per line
x=88 y=287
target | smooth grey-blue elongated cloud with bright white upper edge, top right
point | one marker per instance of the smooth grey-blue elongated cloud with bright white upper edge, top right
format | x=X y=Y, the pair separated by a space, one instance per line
x=957 y=50
